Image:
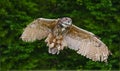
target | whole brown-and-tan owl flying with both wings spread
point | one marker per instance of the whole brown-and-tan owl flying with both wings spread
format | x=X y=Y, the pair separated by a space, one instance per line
x=62 y=33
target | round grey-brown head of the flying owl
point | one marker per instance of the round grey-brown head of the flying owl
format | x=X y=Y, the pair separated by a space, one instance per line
x=65 y=22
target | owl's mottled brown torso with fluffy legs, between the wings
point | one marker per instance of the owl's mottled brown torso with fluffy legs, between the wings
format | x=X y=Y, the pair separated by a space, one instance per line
x=55 y=39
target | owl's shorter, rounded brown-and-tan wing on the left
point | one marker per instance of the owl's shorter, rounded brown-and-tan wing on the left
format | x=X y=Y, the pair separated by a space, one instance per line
x=38 y=29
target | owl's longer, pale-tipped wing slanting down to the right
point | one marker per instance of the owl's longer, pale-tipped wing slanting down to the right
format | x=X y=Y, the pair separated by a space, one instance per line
x=86 y=44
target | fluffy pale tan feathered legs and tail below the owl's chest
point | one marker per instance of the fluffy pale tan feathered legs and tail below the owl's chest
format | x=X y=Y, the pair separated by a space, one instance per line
x=55 y=44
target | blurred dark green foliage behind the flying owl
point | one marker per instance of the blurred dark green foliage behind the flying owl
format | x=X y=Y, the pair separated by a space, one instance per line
x=102 y=17
